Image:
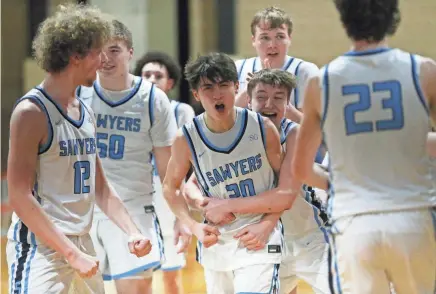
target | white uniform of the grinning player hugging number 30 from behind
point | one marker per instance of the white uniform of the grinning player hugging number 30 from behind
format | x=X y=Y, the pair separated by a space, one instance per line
x=306 y=239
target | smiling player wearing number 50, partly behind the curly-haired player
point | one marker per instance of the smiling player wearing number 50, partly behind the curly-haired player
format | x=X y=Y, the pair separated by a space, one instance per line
x=134 y=121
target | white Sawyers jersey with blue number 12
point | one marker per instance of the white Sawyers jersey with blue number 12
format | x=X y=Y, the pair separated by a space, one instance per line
x=65 y=173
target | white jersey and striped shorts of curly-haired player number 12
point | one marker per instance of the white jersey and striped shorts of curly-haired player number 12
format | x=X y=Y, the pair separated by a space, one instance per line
x=65 y=189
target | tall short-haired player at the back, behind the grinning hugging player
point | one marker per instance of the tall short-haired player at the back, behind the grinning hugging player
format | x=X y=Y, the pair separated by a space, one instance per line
x=271 y=30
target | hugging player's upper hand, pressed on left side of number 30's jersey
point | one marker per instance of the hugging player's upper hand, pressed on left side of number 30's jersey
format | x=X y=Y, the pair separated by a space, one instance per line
x=216 y=212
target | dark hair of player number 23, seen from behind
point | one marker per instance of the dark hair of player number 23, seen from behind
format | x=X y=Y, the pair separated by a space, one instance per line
x=369 y=20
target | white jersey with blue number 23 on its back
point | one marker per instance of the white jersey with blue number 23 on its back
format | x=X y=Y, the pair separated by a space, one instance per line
x=375 y=121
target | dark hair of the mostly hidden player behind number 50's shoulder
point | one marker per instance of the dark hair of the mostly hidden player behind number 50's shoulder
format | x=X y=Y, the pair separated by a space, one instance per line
x=173 y=69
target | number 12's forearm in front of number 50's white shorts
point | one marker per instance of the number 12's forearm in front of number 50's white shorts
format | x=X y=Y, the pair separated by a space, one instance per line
x=114 y=208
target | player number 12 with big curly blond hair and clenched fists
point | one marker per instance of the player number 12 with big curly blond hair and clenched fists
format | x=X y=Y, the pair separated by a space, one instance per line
x=54 y=174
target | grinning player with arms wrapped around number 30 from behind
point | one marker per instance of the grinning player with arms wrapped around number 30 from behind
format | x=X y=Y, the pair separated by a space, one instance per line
x=304 y=231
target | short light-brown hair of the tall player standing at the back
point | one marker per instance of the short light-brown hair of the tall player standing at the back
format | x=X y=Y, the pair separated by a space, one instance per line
x=274 y=17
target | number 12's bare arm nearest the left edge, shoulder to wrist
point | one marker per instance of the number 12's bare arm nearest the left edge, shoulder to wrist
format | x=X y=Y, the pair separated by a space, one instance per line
x=28 y=131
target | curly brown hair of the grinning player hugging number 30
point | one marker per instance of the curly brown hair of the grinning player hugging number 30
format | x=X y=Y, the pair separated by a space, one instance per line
x=274 y=77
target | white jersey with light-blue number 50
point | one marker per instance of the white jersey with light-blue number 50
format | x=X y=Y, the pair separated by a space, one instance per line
x=124 y=138
